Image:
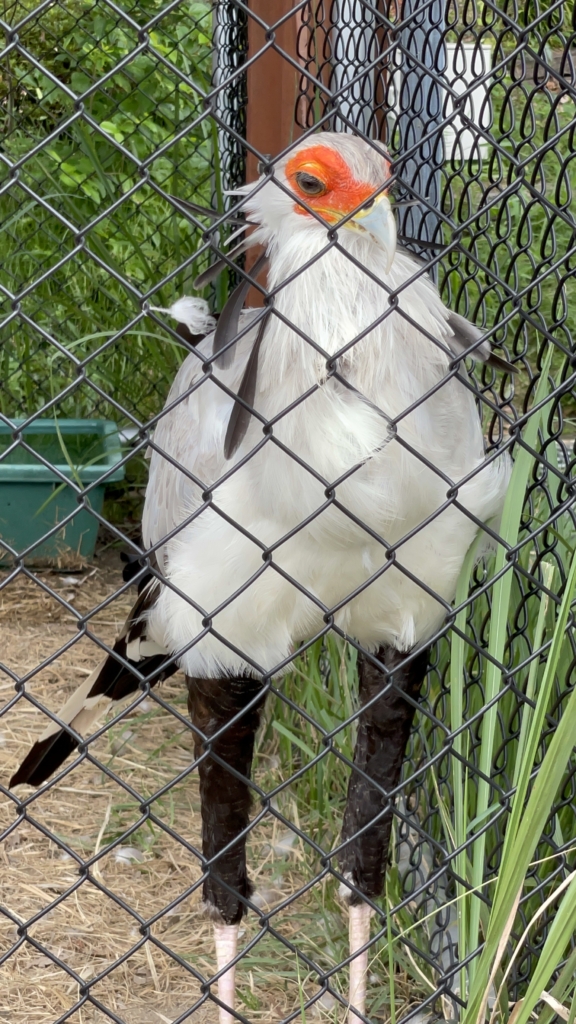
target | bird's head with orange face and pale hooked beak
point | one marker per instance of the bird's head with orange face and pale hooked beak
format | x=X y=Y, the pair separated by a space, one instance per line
x=328 y=182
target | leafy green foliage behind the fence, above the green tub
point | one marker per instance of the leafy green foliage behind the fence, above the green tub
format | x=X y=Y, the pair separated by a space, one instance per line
x=112 y=233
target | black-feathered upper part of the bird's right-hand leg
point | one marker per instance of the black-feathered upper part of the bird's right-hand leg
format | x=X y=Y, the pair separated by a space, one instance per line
x=384 y=730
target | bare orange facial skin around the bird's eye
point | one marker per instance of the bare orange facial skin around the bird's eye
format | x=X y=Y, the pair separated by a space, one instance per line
x=343 y=192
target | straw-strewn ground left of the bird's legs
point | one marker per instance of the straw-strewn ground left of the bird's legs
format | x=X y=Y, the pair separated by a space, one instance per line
x=88 y=931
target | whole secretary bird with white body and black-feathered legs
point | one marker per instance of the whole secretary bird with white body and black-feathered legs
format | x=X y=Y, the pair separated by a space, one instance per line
x=348 y=499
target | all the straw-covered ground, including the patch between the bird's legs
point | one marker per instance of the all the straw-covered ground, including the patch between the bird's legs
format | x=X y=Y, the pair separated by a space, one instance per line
x=94 y=924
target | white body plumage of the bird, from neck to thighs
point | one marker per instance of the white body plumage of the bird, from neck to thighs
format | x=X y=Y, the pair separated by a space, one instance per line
x=316 y=528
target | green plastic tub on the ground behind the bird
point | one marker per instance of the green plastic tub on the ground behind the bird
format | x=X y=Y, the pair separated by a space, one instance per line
x=34 y=499
